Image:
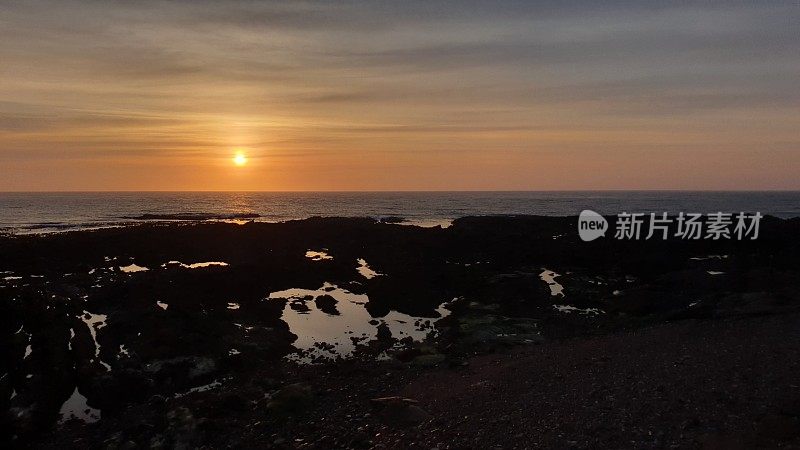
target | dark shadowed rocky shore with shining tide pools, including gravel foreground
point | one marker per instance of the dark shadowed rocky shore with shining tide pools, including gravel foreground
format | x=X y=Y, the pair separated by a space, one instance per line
x=323 y=333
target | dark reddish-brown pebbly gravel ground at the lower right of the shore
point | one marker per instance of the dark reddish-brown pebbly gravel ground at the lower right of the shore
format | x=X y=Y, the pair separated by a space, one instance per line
x=716 y=384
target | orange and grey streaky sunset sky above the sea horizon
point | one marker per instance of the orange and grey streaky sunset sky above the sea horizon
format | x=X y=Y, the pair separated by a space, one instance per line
x=410 y=95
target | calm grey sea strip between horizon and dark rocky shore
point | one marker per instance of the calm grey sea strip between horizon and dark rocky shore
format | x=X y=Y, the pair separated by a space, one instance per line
x=23 y=213
